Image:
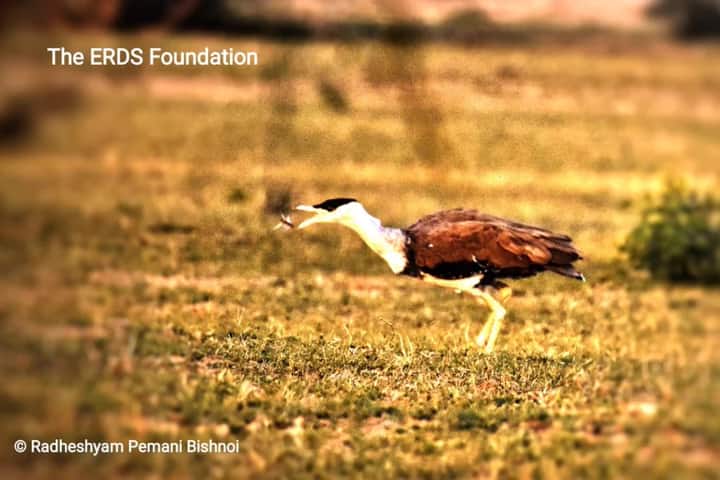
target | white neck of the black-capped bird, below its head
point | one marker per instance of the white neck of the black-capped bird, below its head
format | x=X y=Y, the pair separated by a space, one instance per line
x=387 y=242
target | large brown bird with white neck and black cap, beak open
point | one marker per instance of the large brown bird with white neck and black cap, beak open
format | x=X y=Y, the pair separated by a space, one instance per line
x=461 y=249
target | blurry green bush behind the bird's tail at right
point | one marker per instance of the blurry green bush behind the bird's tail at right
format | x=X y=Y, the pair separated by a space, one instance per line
x=678 y=238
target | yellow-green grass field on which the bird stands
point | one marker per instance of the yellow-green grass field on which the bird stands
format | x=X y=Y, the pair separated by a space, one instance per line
x=145 y=296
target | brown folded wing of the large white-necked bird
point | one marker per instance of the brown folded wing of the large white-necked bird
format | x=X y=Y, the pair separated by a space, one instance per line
x=457 y=243
